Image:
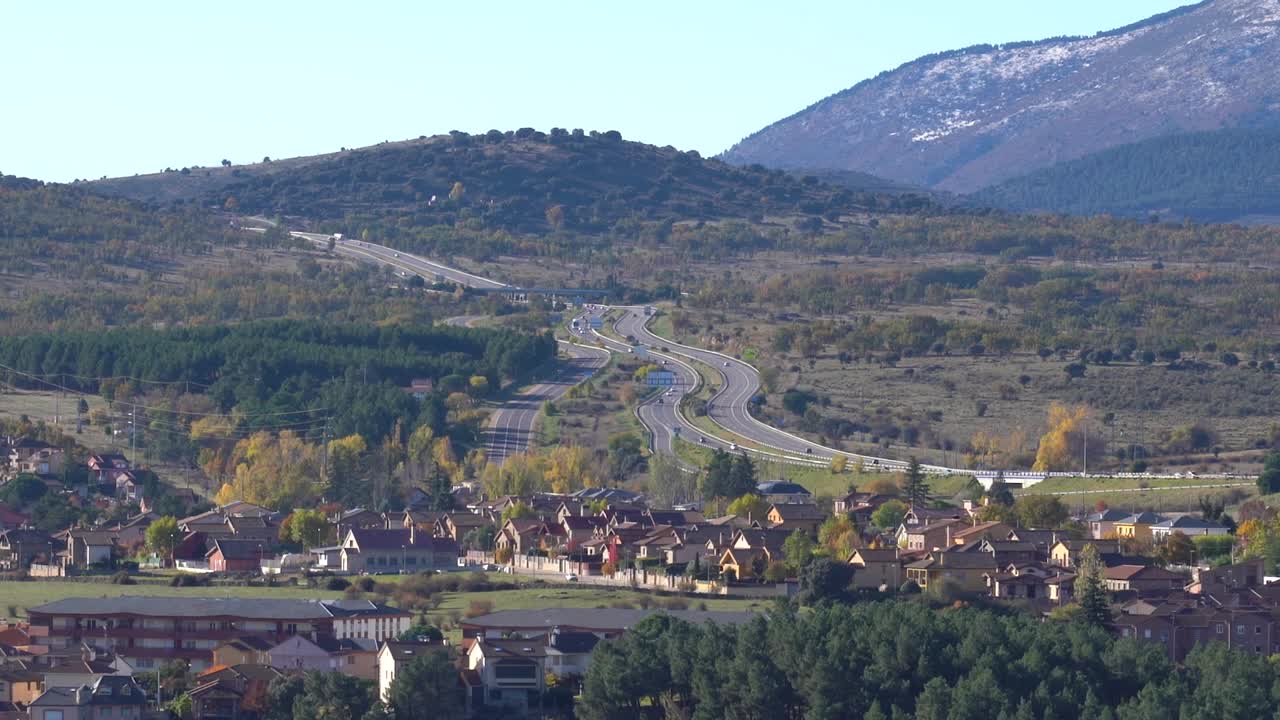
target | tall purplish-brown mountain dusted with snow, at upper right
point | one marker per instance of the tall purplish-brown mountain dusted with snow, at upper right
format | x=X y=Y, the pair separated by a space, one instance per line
x=970 y=119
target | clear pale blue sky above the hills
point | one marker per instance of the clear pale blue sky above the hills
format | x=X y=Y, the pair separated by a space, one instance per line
x=98 y=89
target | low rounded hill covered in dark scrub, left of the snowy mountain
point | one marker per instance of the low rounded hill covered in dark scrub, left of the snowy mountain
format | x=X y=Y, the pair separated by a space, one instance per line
x=523 y=181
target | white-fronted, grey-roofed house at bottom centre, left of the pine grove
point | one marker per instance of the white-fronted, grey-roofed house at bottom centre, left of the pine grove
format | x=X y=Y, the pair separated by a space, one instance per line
x=505 y=676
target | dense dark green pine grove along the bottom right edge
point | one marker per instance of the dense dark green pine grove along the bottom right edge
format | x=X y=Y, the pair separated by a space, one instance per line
x=900 y=660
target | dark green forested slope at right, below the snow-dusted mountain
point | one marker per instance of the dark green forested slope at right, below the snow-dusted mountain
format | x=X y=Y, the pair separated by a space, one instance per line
x=1219 y=176
